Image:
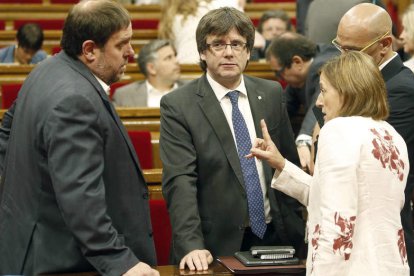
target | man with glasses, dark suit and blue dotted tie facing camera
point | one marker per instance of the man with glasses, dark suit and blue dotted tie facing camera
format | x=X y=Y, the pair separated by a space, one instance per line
x=203 y=160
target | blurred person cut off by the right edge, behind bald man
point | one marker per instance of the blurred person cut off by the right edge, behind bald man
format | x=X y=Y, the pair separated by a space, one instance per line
x=407 y=35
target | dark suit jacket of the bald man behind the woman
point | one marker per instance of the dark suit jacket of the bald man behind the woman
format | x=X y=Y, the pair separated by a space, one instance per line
x=400 y=86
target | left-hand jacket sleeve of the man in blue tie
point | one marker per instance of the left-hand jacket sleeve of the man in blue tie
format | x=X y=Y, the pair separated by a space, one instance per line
x=179 y=183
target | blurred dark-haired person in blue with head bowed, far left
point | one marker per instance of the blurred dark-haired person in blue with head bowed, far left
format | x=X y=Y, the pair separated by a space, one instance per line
x=29 y=41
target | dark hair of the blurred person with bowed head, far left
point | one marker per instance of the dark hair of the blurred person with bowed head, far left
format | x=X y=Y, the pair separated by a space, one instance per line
x=30 y=36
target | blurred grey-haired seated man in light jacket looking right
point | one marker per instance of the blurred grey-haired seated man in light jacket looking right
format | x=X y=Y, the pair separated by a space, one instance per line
x=158 y=63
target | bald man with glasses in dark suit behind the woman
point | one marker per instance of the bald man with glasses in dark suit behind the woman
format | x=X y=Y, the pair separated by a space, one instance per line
x=367 y=28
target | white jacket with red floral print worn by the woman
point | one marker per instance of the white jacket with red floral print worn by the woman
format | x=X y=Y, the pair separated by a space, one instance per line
x=354 y=199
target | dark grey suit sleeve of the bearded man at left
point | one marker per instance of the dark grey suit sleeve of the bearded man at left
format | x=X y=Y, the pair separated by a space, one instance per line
x=74 y=148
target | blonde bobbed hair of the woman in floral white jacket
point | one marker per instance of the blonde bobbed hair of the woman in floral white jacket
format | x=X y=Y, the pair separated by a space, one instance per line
x=359 y=83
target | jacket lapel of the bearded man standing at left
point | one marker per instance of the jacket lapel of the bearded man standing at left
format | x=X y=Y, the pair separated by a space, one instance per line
x=86 y=73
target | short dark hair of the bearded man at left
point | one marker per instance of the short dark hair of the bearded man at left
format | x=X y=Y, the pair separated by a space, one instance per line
x=95 y=20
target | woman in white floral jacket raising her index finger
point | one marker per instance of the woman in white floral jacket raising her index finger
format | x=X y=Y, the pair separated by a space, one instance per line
x=357 y=191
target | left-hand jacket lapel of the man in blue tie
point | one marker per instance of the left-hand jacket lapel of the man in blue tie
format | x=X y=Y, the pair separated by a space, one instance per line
x=215 y=115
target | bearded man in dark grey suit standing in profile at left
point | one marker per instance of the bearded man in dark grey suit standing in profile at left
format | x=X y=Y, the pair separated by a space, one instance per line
x=73 y=197
